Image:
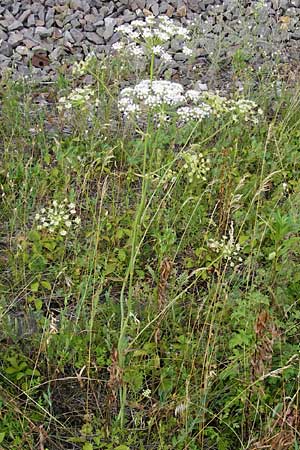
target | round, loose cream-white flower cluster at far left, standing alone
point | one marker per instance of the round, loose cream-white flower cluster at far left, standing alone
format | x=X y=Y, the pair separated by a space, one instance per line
x=58 y=218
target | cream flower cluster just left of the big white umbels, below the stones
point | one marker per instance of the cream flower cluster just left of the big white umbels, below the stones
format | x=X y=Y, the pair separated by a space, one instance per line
x=83 y=98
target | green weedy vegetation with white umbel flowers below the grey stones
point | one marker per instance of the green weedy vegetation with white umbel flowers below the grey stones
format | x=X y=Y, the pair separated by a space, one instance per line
x=149 y=258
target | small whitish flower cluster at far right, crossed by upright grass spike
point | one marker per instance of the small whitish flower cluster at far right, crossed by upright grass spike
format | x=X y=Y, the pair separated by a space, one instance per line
x=227 y=248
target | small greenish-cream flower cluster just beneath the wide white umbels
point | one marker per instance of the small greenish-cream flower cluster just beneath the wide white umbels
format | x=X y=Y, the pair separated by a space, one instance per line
x=196 y=165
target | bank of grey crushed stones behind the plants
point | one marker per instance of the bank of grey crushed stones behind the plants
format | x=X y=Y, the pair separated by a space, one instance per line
x=38 y=36
